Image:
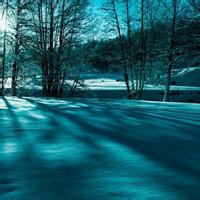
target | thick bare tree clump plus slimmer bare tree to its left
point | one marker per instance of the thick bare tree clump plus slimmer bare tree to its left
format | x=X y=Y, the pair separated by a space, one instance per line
x=44 y=32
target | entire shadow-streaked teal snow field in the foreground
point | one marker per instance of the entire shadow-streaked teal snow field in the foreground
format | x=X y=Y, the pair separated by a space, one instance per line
x=98 y=149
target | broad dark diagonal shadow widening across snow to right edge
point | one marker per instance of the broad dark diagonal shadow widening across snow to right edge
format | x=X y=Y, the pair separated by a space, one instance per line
x=160 y=148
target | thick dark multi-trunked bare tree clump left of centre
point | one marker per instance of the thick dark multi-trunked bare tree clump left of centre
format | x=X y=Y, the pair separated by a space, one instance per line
x=55 y=27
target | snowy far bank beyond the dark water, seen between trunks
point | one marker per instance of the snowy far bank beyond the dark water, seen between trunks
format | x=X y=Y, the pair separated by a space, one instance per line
x=185 y=79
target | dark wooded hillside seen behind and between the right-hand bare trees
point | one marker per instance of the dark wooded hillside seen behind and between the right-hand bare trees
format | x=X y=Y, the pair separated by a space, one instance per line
x=104 y=55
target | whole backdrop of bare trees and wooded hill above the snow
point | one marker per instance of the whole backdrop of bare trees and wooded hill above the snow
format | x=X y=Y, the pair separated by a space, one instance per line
x=50 y=43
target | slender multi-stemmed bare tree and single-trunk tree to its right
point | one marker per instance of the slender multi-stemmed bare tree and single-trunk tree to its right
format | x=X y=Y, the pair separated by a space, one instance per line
x=147 y=16
